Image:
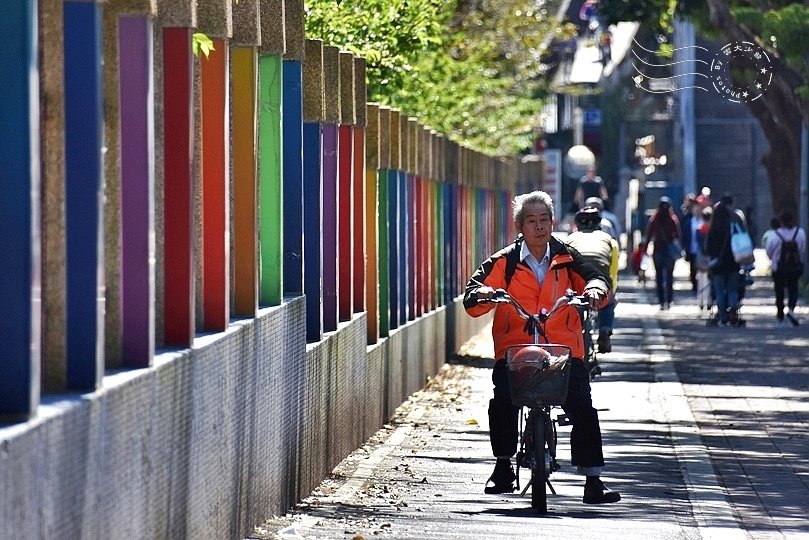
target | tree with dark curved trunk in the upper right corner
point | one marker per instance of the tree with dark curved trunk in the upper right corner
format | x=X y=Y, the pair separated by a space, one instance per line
x=779 y=27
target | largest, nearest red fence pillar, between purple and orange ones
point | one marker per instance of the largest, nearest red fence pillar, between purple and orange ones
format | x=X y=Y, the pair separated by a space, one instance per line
x=175 y=187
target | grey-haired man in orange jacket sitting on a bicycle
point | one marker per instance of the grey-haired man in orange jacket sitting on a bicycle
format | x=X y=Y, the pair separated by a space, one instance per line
x=535 y=270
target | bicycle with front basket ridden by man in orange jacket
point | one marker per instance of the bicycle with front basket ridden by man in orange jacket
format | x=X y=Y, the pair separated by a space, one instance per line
x=538 y=379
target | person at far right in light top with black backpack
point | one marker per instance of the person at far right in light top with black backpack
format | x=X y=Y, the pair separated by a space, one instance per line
x=787 y=252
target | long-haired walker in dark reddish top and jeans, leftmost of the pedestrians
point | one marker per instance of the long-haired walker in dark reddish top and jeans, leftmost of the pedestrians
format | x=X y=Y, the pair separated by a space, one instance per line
x=663 y=231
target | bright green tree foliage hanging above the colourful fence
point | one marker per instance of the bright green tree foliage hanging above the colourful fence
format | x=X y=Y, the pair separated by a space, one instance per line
x=467 y=68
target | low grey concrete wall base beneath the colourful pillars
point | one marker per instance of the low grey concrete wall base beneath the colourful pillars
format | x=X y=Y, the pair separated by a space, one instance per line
x=212 y=440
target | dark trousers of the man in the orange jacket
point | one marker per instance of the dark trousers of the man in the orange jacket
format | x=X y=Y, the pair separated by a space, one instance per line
x=585 y=435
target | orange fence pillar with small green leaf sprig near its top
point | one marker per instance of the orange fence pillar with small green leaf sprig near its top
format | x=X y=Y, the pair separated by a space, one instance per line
x=214 y=19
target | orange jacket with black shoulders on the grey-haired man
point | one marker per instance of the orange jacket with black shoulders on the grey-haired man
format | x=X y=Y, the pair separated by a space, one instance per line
x=567 y=270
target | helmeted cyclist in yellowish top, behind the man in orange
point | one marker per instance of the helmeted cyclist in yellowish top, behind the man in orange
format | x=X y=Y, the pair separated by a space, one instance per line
x=600 y=250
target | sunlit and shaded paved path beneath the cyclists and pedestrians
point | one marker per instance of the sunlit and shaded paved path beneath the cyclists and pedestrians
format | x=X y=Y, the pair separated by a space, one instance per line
x=723 y=454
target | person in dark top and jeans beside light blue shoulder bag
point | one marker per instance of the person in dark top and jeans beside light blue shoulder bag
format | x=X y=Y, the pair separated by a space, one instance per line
x=723 y=267
